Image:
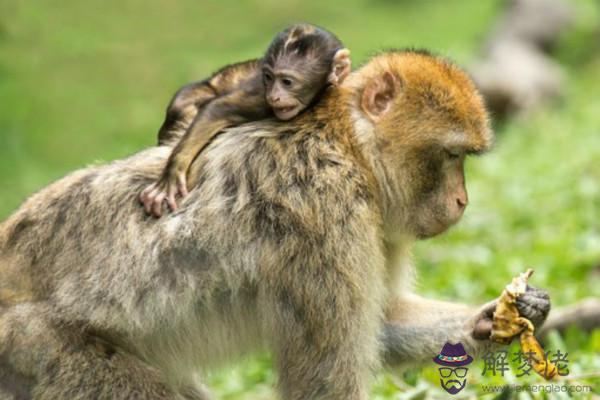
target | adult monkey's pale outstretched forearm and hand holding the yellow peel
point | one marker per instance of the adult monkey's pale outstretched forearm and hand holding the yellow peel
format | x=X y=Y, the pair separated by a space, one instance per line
x=417 y=328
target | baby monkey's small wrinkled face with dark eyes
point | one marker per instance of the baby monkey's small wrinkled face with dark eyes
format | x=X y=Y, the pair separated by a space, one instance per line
x=290 y=90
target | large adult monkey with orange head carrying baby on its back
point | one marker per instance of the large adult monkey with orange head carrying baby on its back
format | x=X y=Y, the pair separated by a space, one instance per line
x=290 y=240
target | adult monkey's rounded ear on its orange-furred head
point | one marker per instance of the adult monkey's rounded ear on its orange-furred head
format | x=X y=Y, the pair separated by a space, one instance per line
x=378 y=95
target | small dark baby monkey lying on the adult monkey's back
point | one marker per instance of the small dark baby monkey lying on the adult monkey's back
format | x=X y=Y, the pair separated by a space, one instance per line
x=299 y=64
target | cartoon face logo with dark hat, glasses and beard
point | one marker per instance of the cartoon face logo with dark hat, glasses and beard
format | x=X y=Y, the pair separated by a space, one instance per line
x=452 y=359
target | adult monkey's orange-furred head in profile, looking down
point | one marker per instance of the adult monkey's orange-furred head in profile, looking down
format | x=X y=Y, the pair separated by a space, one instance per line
x=424 y=132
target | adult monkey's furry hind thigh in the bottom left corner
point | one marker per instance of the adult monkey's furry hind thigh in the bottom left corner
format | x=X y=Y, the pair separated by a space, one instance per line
x=42 y=360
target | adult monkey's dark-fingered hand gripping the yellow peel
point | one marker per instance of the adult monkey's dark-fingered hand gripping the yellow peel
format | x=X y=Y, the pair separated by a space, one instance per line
x=533 y=305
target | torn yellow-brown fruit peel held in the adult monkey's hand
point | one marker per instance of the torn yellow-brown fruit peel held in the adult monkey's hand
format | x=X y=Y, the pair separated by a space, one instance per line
x=507 y=323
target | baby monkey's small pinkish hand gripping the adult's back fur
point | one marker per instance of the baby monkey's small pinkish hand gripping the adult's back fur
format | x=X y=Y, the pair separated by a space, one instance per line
x=171 y=184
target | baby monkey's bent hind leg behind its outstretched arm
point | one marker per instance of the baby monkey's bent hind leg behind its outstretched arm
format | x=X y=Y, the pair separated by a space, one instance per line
x=183 y=108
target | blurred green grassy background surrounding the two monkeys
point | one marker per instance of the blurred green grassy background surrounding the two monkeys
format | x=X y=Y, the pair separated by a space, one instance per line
x=87 y=81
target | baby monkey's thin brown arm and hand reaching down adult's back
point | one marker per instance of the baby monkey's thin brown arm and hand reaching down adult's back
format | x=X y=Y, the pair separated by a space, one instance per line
x=232 y=109
